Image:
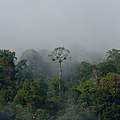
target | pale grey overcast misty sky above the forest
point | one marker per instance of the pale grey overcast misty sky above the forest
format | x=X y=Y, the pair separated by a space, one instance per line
x=42 y=24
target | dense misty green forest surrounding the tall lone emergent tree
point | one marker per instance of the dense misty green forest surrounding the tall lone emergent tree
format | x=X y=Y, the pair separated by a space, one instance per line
x=29 y=88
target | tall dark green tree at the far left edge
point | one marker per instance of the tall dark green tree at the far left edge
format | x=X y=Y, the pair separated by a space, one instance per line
x=7 y=75
